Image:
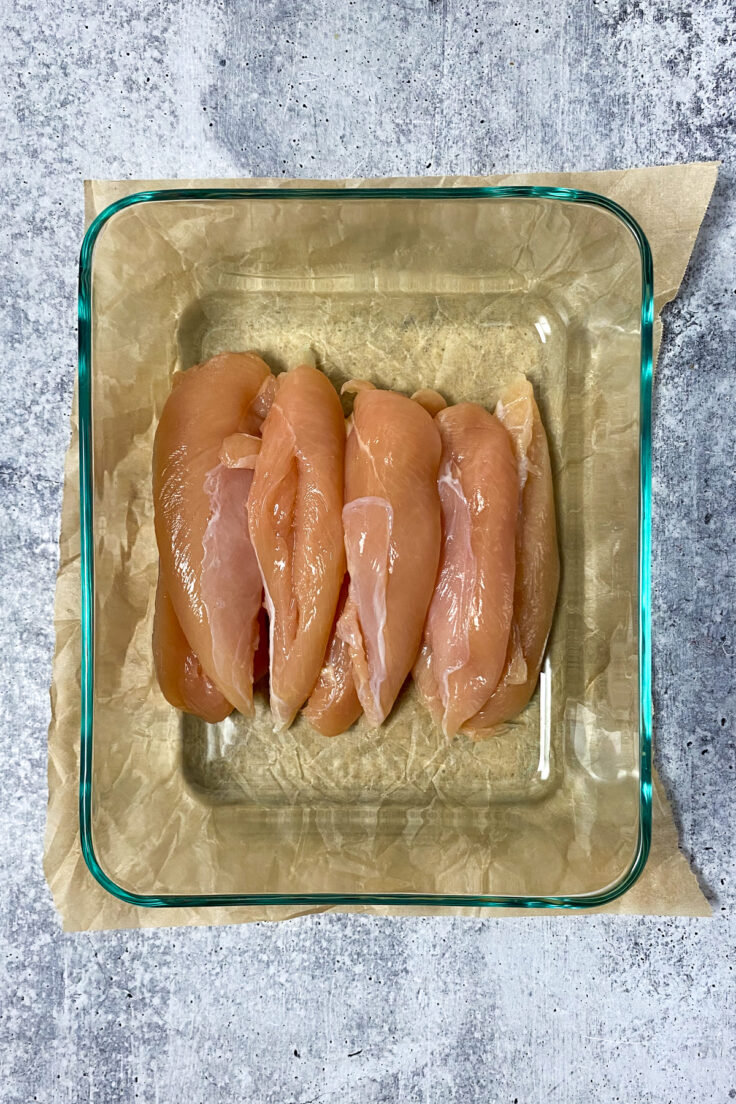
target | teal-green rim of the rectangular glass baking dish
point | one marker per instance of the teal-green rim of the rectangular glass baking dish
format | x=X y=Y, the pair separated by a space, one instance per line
x=196 y=900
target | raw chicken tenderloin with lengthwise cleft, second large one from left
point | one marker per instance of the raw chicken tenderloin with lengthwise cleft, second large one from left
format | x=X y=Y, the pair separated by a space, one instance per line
x=294 y=511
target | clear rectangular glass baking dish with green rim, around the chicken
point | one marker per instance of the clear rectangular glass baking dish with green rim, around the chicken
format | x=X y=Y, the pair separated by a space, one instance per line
x=450 y=289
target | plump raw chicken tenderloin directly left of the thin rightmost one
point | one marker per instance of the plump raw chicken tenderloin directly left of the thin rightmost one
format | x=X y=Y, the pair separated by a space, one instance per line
x=466 y=636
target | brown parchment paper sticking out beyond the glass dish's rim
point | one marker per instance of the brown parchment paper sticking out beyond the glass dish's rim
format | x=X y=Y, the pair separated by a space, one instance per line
x=669 y=203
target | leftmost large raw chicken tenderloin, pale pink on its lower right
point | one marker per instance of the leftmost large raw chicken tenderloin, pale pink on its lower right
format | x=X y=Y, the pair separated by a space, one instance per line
x=207 y=561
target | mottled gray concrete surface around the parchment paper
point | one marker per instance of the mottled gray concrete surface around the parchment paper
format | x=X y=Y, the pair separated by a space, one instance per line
x=342 y=1009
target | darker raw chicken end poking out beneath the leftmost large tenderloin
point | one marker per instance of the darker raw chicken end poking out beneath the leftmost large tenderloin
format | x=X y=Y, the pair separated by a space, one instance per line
x=180 y=675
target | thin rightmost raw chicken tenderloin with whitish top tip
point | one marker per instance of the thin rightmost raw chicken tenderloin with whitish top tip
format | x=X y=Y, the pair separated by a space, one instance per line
x=538 y=561
